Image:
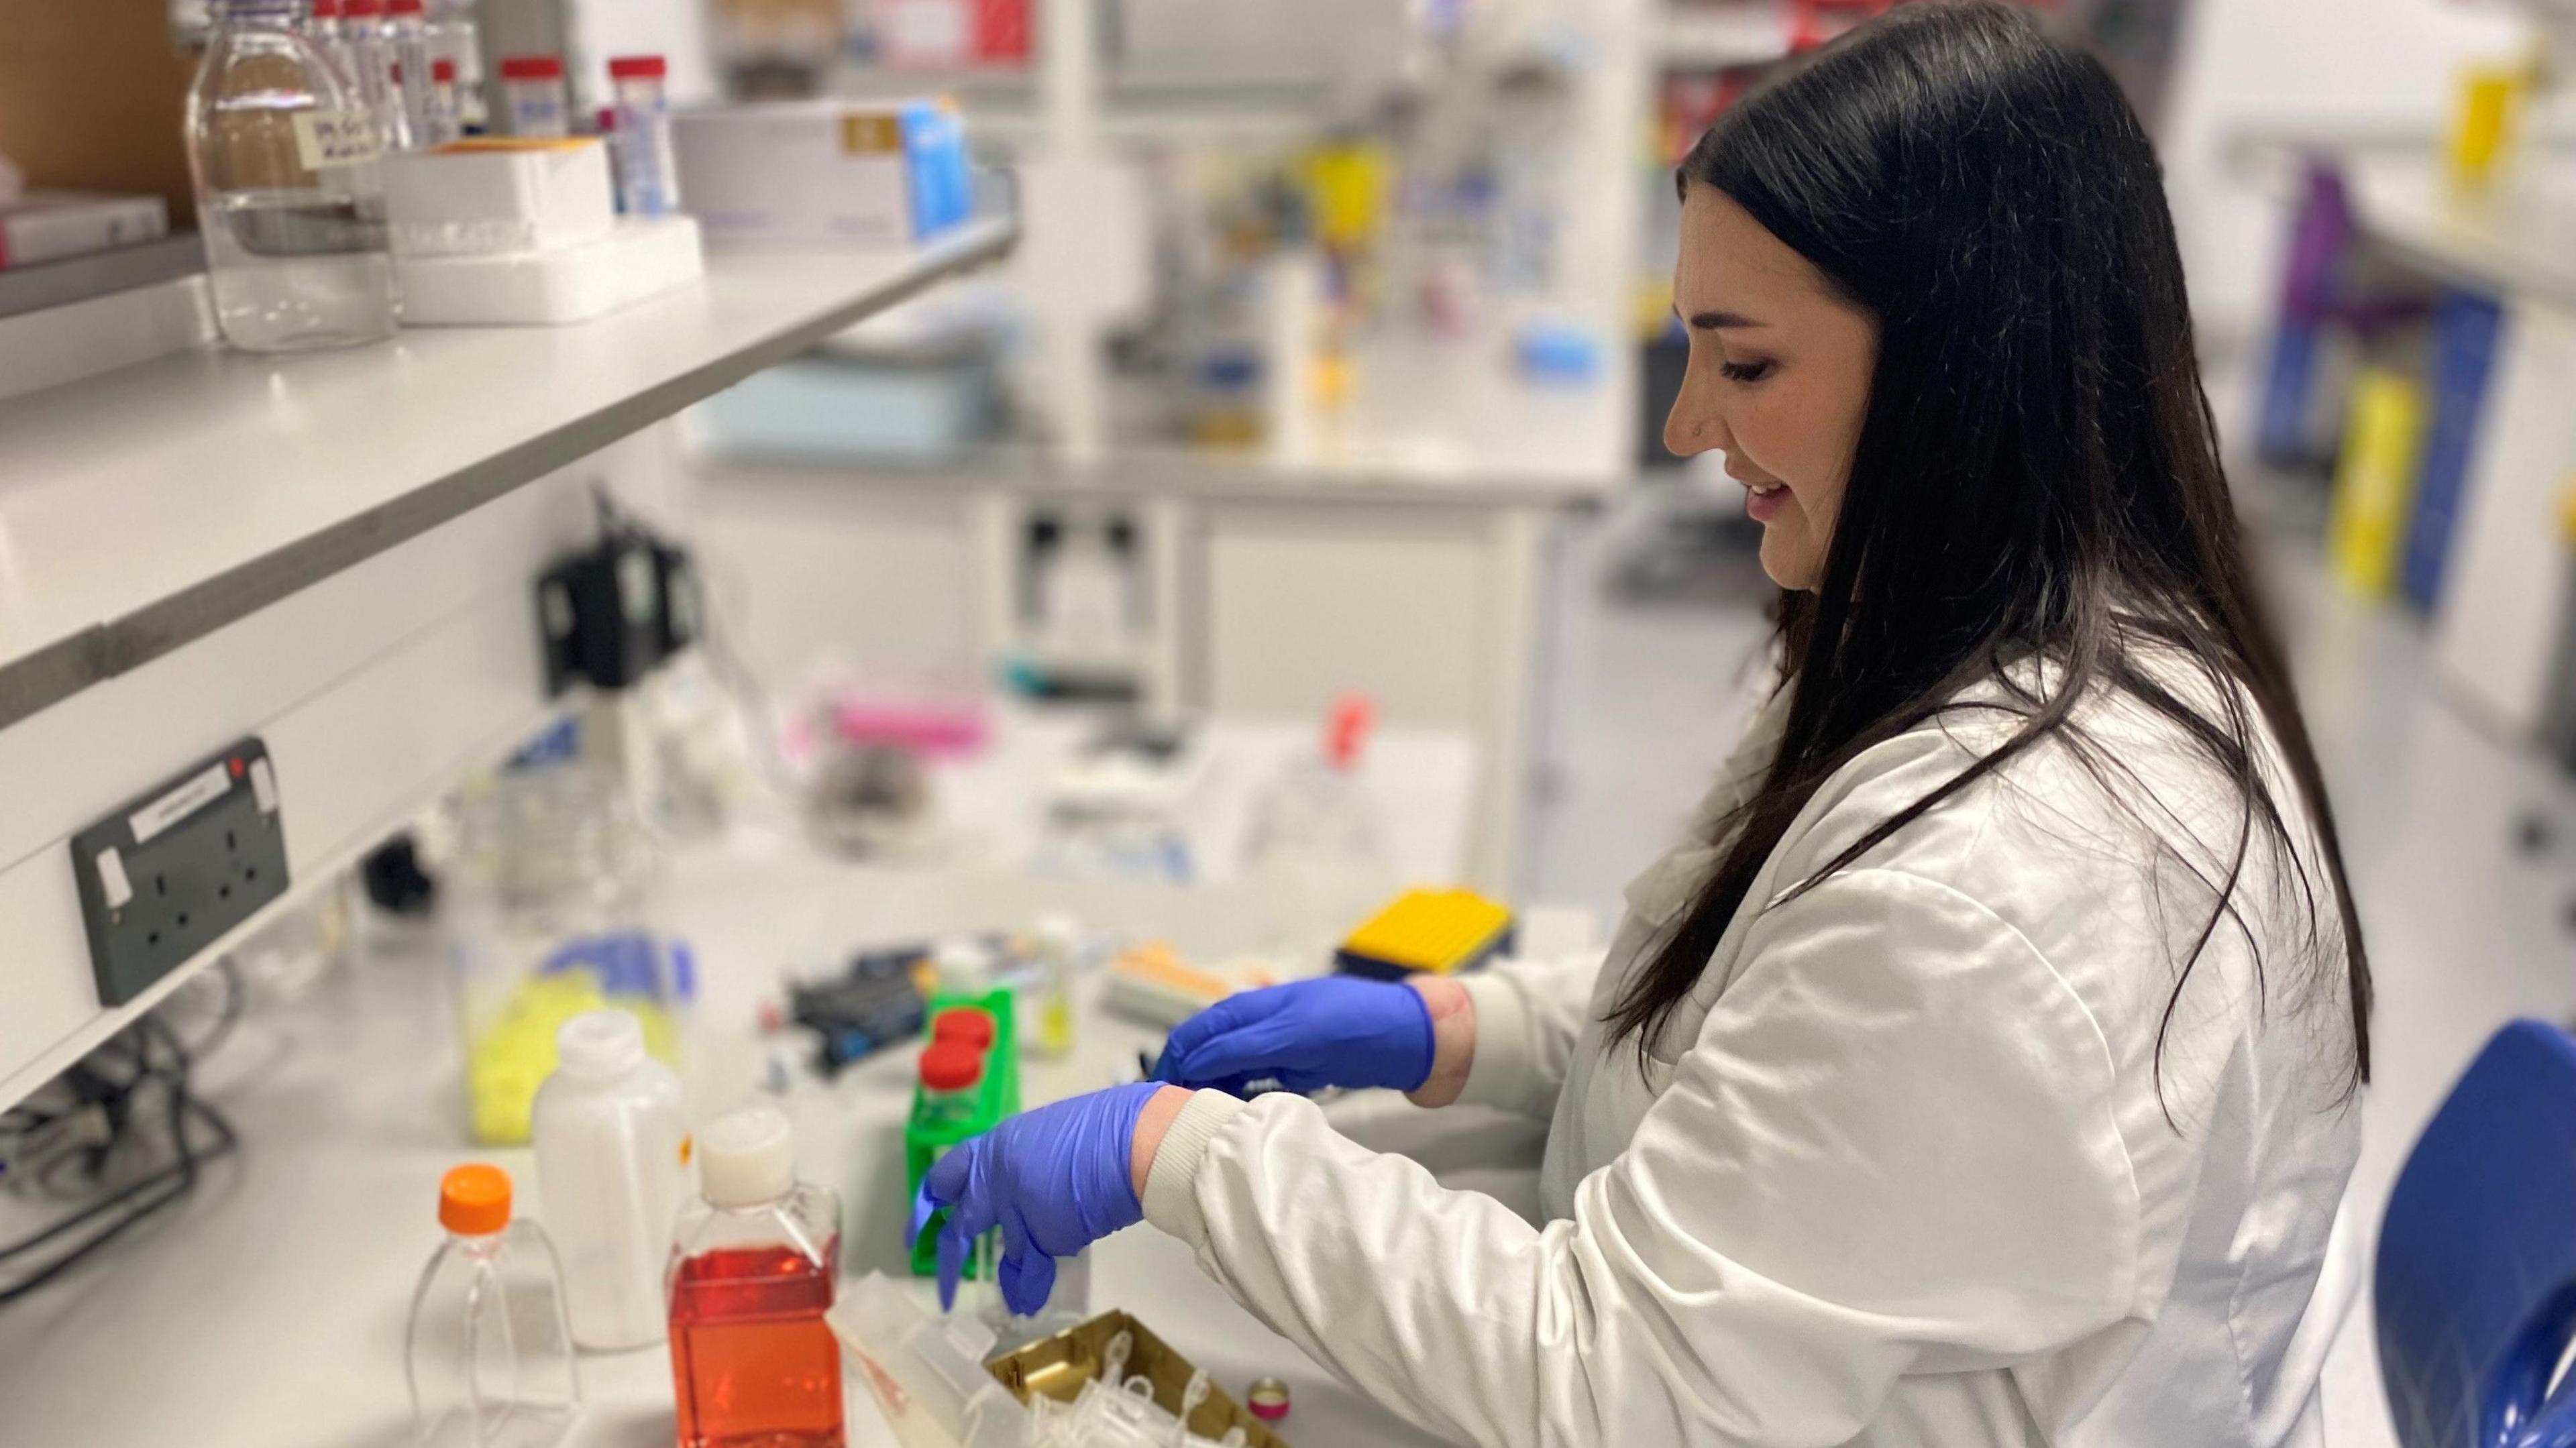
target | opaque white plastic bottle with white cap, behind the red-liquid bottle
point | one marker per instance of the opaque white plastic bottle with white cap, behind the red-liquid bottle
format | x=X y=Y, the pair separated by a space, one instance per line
x=609 y=1161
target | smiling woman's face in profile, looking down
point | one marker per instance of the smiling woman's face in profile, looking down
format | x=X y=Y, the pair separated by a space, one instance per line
x=1779 y=377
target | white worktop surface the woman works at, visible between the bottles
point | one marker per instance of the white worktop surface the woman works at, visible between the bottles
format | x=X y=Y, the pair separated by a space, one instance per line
x=269 y=1310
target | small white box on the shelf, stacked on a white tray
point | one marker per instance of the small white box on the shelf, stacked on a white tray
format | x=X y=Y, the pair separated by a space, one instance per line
x=498 y=195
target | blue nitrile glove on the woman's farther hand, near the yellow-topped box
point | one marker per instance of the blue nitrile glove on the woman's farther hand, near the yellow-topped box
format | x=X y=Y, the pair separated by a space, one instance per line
x=1307 y=1034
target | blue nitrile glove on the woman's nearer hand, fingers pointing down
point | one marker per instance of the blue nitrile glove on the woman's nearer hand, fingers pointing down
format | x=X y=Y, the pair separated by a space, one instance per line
x=1055 y=1181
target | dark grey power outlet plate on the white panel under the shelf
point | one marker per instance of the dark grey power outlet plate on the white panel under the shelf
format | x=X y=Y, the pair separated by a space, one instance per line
x=179 y=867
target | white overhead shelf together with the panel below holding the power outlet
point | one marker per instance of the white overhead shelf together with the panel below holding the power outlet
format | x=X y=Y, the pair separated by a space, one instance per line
x=334 y=553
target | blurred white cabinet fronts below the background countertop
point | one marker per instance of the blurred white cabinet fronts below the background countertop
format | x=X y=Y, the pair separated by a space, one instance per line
x=1264 y=596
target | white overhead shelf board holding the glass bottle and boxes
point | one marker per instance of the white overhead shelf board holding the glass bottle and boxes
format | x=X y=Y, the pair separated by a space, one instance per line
x=151 y=506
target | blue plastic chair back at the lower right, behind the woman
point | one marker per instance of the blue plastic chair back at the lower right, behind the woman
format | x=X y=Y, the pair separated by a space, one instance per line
x=2477 y=1272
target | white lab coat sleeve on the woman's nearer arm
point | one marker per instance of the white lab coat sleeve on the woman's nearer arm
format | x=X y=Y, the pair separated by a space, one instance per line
x=1892 y=1150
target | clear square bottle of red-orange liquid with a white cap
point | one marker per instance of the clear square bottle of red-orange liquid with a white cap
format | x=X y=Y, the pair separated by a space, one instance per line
x=751 y=1279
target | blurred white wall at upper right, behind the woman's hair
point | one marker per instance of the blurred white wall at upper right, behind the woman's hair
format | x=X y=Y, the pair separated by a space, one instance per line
x=2333 y=63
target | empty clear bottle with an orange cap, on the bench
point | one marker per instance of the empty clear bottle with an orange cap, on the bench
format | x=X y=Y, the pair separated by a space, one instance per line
x=491 y=1349
